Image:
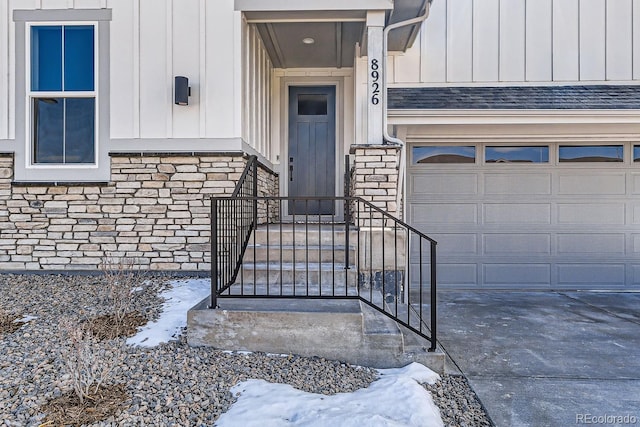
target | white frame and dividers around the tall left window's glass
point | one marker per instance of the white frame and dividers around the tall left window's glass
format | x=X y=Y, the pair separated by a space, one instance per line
x=30 y=95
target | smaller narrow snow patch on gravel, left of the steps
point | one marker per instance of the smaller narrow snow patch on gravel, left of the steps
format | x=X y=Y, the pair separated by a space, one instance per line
x=182 y=295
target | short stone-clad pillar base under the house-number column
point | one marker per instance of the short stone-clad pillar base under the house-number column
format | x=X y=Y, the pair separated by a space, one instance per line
x=375 y=176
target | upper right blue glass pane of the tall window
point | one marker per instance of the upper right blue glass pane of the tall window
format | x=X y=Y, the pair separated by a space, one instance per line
x=78 y=58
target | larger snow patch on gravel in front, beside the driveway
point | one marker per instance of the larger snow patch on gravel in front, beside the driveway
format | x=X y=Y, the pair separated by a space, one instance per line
x=396 y=399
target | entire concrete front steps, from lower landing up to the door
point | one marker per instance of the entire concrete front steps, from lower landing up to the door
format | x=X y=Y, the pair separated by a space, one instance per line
x=278 y=263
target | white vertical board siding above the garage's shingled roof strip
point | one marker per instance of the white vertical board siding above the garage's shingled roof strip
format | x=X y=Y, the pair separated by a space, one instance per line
x=519 y=41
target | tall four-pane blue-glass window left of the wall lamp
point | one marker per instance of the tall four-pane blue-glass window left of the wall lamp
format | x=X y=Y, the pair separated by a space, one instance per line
x=62 y=94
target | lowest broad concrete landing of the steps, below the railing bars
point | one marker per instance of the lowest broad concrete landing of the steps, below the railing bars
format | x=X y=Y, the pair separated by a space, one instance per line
x=345 y=330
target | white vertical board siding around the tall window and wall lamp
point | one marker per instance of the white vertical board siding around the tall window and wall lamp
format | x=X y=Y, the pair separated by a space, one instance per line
x=152 y=41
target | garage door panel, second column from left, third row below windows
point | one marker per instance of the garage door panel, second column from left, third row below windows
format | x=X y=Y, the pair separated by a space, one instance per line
x=517 y=244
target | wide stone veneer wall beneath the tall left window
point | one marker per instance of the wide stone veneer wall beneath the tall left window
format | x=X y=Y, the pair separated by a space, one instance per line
x=155 y=209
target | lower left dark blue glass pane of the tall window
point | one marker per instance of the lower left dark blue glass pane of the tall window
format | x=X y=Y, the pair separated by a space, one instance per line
x=48 y=118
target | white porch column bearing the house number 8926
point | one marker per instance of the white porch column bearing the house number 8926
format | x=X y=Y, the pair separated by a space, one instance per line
x=375 y=26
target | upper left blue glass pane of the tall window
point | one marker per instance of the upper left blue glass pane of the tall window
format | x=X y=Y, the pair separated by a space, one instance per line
x=46 y=58
